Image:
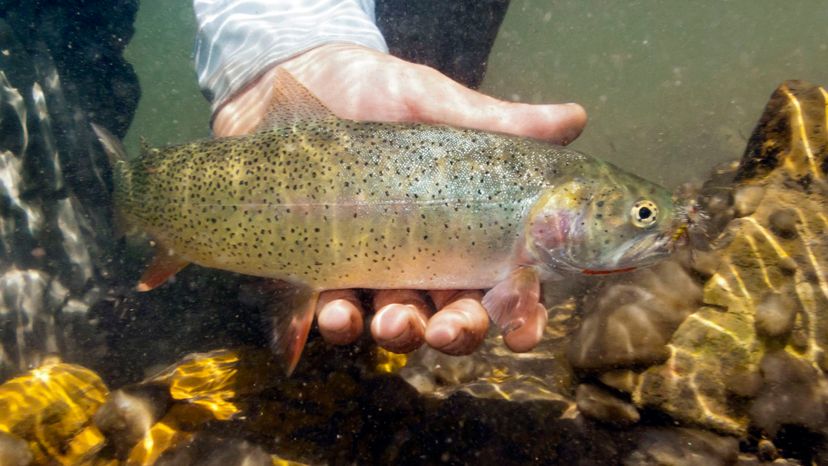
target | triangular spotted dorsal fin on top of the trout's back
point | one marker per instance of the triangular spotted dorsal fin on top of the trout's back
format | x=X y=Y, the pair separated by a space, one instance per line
x=291 y=102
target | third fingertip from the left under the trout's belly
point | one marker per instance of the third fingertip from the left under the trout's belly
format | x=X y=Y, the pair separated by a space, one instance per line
x=460 y=324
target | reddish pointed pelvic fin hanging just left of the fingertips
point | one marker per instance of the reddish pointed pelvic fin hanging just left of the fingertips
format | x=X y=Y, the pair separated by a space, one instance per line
x=290 y=310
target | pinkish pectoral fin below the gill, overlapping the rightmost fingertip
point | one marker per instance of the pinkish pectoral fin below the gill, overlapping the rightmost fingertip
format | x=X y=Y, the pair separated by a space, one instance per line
x=511 y=301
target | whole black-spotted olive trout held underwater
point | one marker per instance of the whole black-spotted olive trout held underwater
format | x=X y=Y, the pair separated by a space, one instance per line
x=324 y=203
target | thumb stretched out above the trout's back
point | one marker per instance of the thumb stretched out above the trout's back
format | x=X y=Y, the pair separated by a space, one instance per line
x=438 y=99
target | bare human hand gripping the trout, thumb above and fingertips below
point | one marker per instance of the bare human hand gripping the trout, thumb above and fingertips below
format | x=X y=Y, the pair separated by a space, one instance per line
x=361 y=84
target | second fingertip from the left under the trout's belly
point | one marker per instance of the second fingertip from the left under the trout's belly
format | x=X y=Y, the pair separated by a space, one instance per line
x=400 y=320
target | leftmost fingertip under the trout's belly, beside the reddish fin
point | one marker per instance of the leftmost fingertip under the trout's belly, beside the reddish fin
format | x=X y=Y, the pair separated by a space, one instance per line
x=339 y=316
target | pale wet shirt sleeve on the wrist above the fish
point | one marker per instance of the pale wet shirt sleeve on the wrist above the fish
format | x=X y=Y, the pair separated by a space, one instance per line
x=238 y=40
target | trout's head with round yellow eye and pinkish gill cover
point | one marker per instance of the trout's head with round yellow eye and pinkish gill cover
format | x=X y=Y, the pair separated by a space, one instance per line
x=594 y=225
